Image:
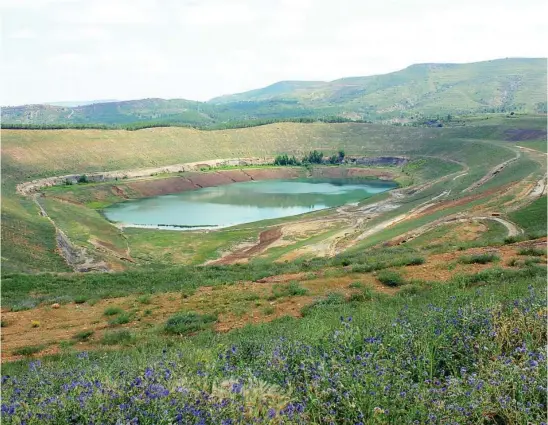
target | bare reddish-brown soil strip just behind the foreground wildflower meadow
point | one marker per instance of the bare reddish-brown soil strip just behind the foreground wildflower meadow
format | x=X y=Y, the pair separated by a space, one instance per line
x=61 y=324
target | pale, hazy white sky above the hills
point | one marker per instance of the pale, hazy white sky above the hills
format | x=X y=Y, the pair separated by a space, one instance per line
x=66 y=50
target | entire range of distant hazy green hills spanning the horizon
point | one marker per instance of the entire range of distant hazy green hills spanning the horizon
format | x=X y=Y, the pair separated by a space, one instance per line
x=501 y=85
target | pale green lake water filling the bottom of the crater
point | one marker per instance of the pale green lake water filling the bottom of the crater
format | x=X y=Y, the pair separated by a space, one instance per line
x=245 y=202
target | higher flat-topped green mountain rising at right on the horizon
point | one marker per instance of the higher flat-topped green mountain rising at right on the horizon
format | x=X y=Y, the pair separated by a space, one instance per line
x=496 y=85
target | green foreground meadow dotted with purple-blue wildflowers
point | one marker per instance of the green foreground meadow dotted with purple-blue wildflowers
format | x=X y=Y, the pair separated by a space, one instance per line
x=468 y=351
